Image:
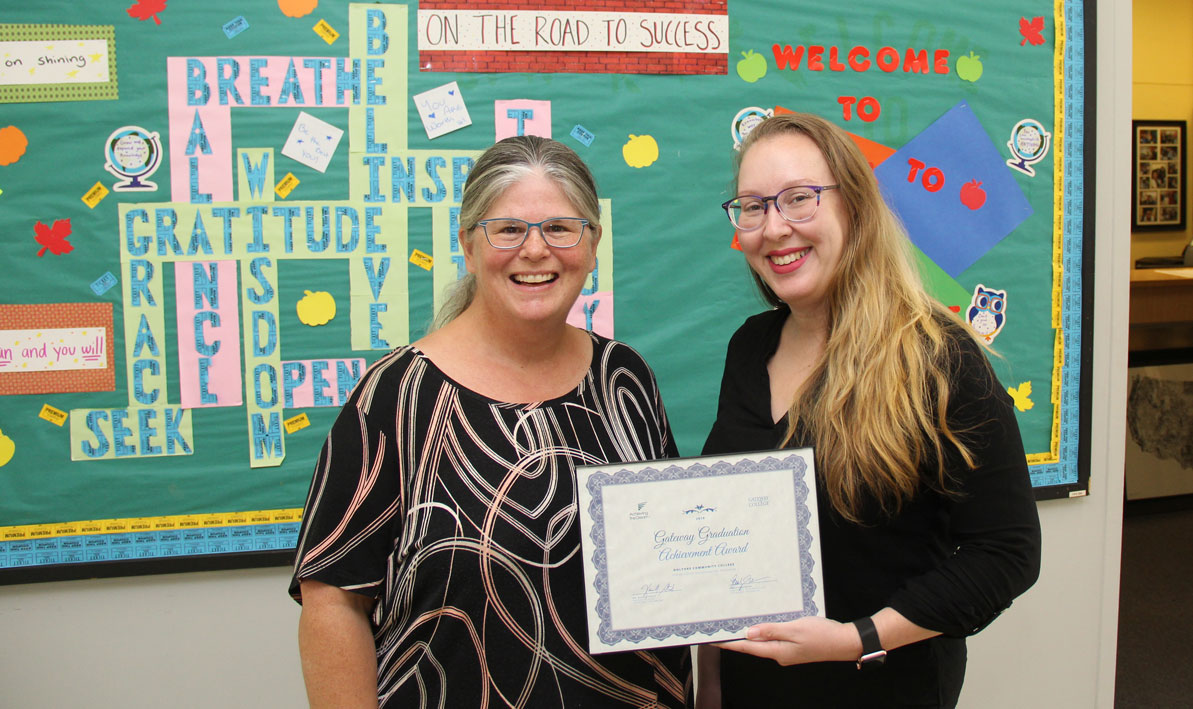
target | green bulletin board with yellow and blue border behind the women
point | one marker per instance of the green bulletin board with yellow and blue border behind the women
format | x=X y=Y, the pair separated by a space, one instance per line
x=217 y=215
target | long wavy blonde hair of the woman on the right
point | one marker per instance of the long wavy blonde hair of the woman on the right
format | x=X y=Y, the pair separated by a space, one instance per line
x=875 y=404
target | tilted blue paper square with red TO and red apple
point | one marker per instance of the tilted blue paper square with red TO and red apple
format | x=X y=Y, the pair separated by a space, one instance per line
x=954 y=192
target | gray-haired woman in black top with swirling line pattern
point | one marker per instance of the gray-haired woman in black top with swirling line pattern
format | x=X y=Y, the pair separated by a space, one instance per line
x=440 y=558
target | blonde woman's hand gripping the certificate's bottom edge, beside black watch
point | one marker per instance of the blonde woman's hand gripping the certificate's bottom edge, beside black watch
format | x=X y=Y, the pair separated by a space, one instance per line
x=805 y=640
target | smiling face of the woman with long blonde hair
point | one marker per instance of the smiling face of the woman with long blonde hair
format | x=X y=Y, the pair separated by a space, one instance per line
x=800 y=261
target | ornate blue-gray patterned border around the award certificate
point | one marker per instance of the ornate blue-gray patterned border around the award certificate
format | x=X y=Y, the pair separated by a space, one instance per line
x=596 y=486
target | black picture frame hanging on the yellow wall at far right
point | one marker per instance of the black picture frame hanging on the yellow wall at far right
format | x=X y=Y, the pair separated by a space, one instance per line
x=1158 y=184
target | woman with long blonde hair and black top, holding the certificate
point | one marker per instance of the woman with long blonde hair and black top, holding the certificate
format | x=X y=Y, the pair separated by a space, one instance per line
x=928 y=520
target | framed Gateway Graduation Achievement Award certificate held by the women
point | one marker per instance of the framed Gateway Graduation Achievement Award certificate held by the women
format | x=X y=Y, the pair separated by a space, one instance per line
x=695 y=551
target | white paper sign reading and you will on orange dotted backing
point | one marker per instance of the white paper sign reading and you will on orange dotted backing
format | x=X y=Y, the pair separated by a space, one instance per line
x=53 y=349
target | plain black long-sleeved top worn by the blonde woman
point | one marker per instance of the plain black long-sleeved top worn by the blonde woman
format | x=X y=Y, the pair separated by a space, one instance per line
x=948 y=563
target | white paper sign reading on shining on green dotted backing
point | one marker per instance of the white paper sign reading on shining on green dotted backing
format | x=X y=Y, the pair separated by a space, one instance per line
x=46 y=61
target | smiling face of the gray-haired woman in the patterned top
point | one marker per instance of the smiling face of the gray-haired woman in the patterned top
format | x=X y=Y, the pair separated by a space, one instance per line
x=535 y=282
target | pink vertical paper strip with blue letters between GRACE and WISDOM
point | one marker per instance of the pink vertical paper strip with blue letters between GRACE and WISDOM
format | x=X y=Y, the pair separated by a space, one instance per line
x=209 y=369
